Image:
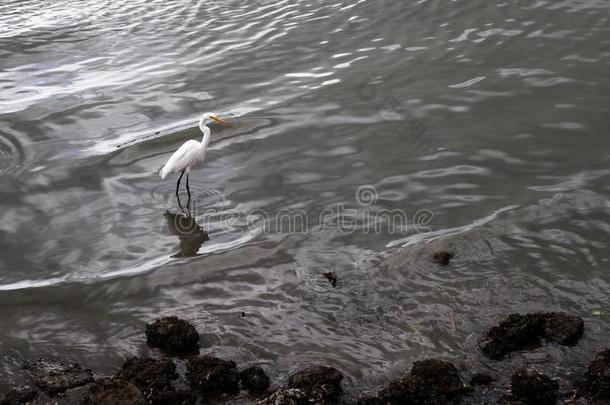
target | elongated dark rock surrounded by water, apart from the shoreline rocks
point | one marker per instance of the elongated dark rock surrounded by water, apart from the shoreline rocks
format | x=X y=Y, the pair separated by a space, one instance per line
x=519 y=331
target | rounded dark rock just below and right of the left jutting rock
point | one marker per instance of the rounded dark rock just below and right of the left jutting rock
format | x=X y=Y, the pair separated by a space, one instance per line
x=210 y=374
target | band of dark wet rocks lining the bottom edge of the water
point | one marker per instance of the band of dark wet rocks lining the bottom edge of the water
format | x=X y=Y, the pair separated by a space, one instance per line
x=185 y=376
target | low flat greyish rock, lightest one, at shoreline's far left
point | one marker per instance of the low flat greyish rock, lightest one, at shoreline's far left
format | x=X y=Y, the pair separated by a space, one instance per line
x=58 y=376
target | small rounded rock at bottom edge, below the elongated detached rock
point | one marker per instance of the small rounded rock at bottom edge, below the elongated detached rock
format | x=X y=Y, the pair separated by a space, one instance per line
x=531 y=387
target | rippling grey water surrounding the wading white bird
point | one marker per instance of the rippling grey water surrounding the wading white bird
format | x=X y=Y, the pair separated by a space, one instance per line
x=482 y=125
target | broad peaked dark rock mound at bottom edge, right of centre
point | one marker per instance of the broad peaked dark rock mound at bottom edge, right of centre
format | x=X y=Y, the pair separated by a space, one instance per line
x=431 y=382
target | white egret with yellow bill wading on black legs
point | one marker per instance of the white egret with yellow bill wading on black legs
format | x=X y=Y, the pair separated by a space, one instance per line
x=189 y=154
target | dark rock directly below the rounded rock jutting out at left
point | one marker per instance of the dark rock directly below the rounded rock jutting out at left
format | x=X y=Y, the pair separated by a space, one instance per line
x=153 y=377
